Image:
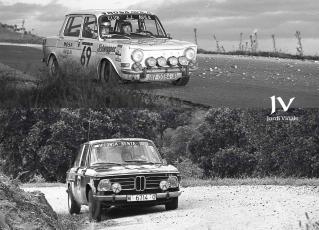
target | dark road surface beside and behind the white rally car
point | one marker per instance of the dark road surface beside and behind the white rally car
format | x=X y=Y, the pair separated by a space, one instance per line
x=231 y=81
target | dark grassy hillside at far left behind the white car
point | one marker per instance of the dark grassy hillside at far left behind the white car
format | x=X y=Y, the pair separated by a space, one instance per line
x=7 y=34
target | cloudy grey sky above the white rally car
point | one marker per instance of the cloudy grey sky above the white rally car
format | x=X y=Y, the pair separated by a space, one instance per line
x=224 y=18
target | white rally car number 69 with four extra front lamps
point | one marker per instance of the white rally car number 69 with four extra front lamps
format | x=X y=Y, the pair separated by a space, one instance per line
x=123 y=45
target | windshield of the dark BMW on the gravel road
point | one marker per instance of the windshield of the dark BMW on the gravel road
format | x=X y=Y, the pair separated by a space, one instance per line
x=124 y=152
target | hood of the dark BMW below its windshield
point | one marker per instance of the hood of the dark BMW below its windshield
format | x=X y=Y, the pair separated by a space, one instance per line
x=129 y=170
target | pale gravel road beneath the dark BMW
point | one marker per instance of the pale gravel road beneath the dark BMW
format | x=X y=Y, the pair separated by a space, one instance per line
x=217 y=207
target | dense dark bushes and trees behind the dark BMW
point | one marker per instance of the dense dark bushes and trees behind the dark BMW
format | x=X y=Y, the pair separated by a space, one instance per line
x=218 y=143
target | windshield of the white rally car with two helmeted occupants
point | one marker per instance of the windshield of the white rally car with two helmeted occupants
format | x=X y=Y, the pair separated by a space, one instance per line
x=130 y=26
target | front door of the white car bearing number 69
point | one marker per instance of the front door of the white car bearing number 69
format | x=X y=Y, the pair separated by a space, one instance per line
x=89 y=42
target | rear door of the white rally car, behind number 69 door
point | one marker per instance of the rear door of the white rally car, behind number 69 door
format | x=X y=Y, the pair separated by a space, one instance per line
x=69 y=42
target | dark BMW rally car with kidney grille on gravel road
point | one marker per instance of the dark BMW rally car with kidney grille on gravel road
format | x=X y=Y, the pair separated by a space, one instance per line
x=121 y=172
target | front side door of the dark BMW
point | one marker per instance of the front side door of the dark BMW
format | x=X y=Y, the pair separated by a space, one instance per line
x=81 y=178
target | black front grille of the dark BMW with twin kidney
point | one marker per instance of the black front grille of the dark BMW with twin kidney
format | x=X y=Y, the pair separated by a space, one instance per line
x=140 y=182
